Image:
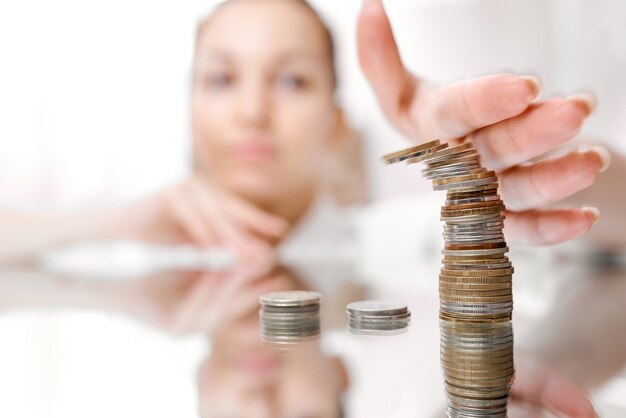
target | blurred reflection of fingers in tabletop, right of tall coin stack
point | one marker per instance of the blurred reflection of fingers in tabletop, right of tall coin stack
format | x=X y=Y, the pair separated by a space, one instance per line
x=542 y=386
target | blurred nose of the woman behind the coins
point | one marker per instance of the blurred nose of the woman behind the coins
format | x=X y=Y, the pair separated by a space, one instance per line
x=253 y=104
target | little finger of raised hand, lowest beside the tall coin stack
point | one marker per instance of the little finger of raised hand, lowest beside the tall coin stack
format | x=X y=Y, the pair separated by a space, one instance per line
x=550 y=226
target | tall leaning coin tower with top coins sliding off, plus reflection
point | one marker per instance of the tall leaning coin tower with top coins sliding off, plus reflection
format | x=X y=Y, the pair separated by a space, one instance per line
x=475 y=284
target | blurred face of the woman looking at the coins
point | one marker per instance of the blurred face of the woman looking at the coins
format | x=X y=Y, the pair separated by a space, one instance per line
x=262 y=109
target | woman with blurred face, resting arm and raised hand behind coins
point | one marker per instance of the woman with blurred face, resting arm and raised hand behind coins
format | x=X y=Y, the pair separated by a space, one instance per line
x=263 y=115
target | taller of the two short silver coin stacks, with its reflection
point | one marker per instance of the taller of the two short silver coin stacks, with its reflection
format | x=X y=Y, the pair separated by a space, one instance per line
x=289 y=317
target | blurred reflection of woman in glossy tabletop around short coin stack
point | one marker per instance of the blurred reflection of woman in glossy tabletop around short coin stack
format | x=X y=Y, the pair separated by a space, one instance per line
x=244 y=378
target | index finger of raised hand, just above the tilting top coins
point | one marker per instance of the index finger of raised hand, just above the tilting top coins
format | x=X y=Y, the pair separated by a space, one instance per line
x=461 y=108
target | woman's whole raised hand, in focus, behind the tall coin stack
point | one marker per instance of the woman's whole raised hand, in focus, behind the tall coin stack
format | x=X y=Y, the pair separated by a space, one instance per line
x=496 y=114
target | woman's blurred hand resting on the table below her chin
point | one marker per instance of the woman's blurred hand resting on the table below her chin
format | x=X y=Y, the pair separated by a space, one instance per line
x=194 y=212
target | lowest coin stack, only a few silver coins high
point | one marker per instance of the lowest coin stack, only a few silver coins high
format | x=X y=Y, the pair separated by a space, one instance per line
x=373 y=317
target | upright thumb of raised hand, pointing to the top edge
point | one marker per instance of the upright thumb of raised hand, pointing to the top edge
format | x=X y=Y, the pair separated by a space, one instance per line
x=380 y=60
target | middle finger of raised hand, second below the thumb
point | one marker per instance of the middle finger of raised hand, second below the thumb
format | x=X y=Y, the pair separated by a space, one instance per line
x=538 y=130
